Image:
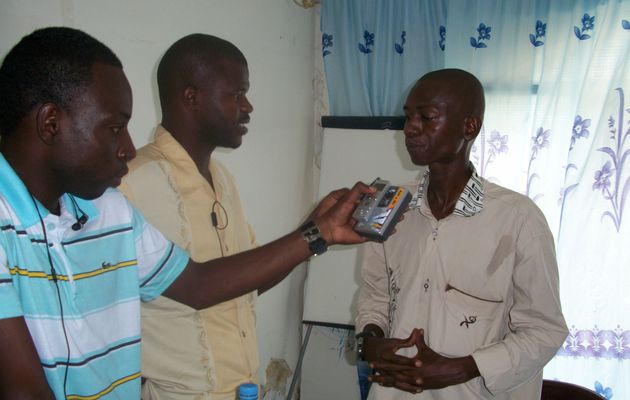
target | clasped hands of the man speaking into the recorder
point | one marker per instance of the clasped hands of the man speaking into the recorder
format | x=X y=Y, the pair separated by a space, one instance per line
x=426 y=370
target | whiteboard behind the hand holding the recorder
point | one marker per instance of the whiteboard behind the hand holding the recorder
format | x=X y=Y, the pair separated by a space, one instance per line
x=349 y=155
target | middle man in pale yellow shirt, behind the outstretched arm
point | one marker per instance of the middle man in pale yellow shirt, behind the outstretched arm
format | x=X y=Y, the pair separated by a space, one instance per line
x=193 y=200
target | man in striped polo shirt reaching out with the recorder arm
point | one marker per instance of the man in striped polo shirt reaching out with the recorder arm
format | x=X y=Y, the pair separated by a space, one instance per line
x=76 y=258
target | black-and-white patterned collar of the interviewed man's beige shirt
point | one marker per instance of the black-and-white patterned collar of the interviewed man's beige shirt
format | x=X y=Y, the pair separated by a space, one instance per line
x=470 y=201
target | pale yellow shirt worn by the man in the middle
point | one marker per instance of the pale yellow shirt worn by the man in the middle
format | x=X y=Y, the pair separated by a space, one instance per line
x=189 y=354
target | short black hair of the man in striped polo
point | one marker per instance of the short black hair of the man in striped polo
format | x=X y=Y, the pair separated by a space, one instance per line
x=48 y=65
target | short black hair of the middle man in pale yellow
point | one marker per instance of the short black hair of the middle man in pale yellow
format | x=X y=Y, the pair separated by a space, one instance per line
x=190 y=56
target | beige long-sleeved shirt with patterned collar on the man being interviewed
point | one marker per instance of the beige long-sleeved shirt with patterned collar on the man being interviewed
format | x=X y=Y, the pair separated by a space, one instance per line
x=482 y=282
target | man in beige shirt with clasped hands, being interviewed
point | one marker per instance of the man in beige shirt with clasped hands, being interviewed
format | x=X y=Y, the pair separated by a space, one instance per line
x=462 y=303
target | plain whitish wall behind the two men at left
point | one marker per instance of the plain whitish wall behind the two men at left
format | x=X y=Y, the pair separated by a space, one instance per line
x=272 y=166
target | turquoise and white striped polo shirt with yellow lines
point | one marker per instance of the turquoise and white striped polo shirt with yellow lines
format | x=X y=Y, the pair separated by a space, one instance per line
x=101 y=273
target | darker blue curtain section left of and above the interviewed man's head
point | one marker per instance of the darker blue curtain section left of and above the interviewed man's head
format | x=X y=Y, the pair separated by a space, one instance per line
x=373 y=51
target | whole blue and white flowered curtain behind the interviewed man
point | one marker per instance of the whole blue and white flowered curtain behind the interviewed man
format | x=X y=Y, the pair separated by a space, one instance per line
x=556 y=75
